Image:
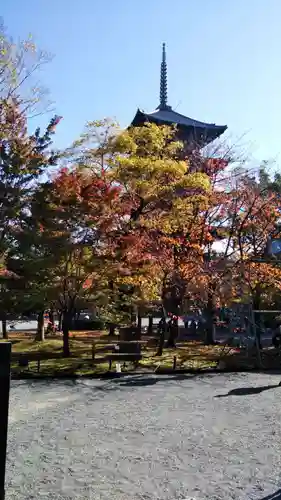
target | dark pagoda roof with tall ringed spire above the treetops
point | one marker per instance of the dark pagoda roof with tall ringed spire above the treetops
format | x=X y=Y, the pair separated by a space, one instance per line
x=193 y=133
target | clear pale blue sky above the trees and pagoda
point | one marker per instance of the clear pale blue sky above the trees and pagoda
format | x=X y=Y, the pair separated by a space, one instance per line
x=224 y=61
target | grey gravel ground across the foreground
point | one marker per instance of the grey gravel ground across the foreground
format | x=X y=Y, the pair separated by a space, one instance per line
x=145 y=438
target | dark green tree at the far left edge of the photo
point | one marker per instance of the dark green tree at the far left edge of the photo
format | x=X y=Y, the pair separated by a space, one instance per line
x=23 y=159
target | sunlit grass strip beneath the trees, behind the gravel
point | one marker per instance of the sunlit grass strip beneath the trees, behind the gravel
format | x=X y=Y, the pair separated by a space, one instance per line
x=189 y=355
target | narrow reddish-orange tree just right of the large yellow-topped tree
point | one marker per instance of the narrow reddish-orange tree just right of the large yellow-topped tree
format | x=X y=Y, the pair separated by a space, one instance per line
x=214 y=239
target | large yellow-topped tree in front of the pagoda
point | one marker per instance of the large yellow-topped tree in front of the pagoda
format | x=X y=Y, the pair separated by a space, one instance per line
x=158 y=242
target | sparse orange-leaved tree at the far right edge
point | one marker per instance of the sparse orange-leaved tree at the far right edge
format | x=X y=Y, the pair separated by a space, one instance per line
x=257 y=224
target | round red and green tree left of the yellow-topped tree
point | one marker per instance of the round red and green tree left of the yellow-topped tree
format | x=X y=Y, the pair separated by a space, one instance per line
x=61 y=238
